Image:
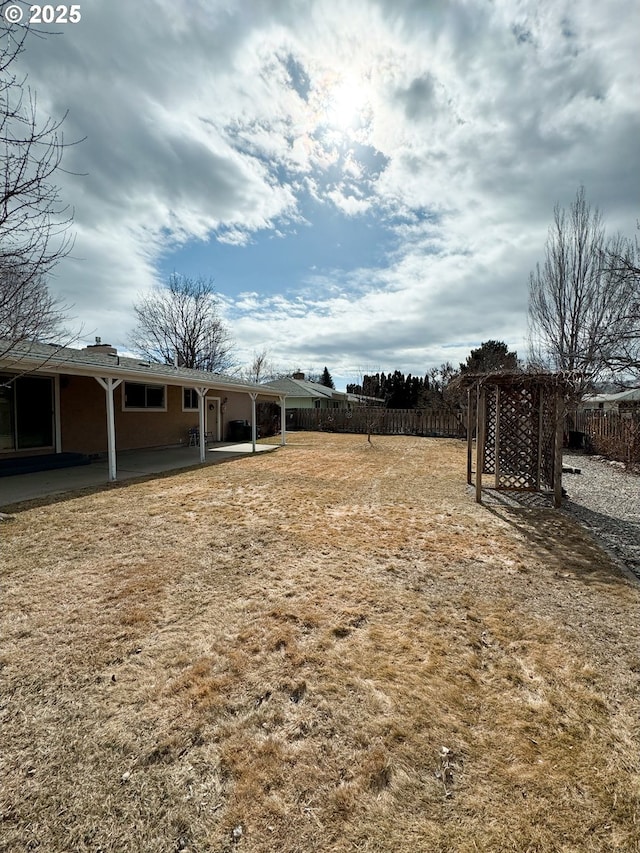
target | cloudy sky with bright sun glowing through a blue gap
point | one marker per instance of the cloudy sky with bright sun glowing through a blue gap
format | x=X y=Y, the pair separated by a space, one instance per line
x=369 y=183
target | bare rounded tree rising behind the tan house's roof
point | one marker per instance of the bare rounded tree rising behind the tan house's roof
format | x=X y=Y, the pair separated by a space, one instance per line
x=181 y=320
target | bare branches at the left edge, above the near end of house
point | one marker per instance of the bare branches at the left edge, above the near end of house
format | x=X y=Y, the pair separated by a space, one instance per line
x=34 y=223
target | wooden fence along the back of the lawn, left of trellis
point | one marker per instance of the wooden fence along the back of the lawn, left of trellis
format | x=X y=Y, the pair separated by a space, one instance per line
x=380 y=421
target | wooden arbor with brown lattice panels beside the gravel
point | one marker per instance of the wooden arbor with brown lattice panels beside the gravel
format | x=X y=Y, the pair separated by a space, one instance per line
x=519 y=437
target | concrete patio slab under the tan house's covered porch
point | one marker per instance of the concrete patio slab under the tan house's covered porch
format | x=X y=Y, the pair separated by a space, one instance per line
x=132 y=464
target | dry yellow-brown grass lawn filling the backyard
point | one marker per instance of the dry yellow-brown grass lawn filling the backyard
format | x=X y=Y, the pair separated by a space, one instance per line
x=326 y=648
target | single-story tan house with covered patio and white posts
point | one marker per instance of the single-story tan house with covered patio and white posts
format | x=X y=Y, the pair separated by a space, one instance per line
x=94 y=401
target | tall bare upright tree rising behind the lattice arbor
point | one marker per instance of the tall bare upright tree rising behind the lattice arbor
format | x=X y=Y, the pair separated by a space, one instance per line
x=576 y=302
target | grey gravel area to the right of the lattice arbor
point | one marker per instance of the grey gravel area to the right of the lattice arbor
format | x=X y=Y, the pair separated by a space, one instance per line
x=606 y=500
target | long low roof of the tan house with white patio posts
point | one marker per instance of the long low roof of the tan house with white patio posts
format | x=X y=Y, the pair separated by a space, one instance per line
x=52 y=359
